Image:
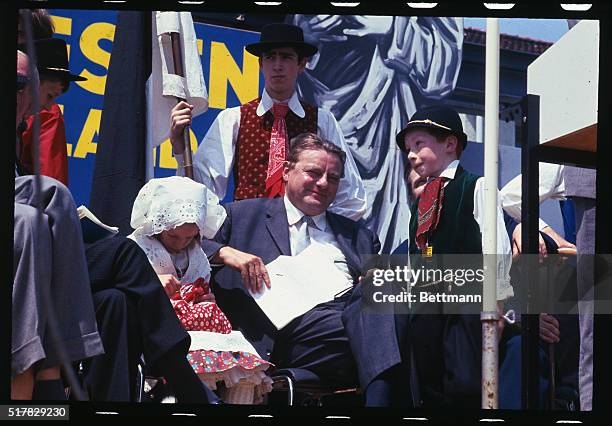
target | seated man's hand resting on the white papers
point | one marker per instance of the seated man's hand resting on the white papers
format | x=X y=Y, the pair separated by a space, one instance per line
x=252 y=268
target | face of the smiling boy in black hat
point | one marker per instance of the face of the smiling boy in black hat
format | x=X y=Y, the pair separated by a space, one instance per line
x=427 y=155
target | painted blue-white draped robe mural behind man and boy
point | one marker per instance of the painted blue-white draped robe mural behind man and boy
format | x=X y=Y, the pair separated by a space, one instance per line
x=373 y=72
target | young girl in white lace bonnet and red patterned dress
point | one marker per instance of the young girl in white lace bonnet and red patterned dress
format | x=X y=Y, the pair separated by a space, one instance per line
x=170 y=215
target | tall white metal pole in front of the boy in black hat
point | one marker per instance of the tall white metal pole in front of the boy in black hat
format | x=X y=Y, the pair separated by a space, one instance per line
x=489 y=315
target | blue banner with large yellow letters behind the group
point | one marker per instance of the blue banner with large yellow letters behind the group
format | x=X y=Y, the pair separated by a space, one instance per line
x=231 y=76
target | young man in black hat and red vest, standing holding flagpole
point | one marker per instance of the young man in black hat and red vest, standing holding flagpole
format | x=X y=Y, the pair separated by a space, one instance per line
x=251 y=141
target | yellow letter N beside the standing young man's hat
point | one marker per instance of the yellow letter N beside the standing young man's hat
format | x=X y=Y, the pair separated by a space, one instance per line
x=223 y=69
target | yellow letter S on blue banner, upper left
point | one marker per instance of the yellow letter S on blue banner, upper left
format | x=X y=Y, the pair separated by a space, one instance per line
x=90 y=38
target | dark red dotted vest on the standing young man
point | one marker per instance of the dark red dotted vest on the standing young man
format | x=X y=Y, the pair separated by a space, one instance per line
x=253 y=146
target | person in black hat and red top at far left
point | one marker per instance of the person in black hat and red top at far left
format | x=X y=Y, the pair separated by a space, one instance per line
x=55 y=78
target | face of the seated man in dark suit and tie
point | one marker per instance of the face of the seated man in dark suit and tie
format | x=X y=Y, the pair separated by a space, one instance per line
x=312 y=182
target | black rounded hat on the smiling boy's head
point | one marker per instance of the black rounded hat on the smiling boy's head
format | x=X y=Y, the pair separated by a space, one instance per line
x=435 y=117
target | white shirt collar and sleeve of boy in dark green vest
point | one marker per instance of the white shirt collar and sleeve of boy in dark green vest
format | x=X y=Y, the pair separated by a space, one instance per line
x=504 y=250
